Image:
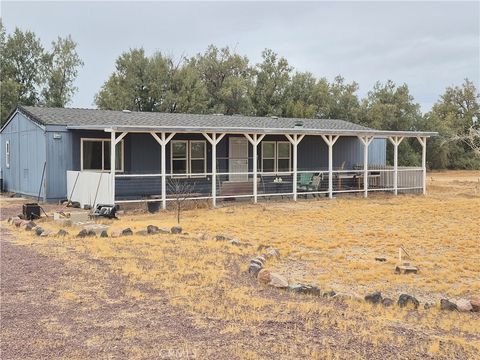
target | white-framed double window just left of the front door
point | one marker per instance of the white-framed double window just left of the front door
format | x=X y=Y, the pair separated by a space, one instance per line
x=188 y=157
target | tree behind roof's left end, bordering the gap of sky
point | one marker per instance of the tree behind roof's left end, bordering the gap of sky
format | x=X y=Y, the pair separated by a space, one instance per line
x=61 y=71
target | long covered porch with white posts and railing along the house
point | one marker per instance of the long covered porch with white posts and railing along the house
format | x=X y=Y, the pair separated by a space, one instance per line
x=153 y=165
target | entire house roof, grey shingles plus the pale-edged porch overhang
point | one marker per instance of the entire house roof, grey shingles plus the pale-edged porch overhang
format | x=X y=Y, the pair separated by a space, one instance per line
x=124 y=121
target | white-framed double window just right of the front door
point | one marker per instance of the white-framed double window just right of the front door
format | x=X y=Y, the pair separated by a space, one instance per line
x=276 y=156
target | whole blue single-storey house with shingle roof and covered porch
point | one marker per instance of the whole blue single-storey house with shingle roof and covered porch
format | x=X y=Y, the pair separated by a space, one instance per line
x=60 y=153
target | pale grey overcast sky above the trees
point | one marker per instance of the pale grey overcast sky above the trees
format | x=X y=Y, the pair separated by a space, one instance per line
x=428 y=45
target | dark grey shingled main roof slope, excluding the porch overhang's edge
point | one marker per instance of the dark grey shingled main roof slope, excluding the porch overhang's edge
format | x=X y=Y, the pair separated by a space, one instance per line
x=108 y=118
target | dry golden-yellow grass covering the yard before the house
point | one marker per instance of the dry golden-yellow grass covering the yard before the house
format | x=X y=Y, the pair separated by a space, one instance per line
x=328 y=243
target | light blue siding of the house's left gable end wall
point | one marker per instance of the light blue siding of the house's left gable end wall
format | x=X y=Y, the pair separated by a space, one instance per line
x=27 y=156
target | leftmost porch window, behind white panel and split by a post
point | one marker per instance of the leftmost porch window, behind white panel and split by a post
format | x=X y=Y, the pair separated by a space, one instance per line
x=95 y=155
